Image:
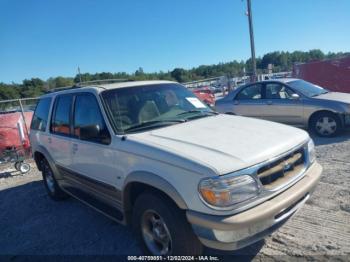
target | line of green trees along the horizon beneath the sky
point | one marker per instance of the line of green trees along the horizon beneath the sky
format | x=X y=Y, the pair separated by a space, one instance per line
x=281 y=61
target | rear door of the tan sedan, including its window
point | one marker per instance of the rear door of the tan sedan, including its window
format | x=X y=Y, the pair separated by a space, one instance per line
x=248 y=101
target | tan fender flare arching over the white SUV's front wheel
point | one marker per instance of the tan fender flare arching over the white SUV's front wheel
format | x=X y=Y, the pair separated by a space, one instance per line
x=153 y=180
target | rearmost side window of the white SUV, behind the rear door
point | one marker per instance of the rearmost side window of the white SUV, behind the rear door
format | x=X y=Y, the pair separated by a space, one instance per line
x=41 y=114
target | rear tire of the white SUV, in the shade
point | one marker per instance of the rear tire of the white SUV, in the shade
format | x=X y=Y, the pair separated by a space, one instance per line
x=51 y=185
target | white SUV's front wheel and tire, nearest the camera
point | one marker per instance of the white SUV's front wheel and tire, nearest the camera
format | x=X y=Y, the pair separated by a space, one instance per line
x=177 y=232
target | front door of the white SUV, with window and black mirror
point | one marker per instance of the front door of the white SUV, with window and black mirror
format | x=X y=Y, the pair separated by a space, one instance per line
x=93 y=157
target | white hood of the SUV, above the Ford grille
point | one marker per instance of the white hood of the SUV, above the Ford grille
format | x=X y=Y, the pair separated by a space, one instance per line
x=225 y=143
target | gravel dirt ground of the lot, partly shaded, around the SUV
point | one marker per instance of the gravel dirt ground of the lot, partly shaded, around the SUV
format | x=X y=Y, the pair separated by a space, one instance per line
x=32 y=224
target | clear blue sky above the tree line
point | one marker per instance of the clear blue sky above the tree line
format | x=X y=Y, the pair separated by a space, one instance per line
x=43 y=38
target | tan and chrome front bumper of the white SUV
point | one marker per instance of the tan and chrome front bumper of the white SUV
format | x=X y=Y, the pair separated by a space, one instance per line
x=240 y=230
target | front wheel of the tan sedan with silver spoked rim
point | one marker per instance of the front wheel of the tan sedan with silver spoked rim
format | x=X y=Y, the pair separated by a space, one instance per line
x=325 y=124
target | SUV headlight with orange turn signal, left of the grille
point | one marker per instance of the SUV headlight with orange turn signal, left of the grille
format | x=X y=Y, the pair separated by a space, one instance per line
x=224 y=191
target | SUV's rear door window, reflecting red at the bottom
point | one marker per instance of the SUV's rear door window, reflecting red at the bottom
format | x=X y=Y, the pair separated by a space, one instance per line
x=60 y=121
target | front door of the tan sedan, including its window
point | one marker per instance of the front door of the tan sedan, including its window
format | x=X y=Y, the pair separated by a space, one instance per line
x=280 y=106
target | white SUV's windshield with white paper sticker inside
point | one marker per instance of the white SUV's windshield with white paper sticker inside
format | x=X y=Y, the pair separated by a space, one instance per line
x=143 y=107
